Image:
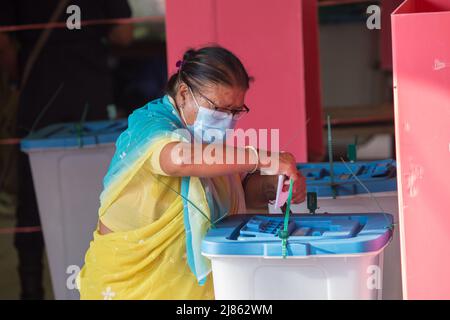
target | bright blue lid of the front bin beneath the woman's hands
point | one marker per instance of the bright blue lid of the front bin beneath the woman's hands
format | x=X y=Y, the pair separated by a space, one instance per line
x=325 y=234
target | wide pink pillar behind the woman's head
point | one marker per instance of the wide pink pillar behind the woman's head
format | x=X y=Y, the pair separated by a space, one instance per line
x=277 y=43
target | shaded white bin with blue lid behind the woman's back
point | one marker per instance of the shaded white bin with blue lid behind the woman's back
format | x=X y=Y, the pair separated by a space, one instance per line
x=68 y=162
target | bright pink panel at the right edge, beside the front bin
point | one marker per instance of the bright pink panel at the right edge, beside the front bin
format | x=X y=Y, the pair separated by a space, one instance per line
x=421 y=61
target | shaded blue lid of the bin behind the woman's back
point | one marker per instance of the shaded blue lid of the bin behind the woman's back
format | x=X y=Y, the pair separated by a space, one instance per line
x=74 y=135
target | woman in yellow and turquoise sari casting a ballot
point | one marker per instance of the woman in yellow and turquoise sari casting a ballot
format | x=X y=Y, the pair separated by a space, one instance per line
x=159 y=199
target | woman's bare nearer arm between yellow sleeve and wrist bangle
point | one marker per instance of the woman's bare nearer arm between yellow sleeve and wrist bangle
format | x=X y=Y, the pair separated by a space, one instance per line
x=183 y=159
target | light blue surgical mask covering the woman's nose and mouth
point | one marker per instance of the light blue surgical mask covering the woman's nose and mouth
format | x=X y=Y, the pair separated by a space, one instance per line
x=210 y=125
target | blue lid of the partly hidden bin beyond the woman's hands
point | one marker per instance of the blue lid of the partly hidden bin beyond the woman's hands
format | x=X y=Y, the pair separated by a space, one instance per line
x=377 y=176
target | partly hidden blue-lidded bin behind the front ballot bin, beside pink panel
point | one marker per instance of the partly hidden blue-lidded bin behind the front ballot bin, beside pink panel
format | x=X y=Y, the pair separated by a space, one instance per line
x=380 y=178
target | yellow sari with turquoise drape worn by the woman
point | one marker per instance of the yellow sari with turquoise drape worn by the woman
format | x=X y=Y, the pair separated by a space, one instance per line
x=146 y=256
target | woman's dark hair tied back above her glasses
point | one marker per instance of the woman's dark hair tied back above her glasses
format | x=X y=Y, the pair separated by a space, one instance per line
x=208 y=65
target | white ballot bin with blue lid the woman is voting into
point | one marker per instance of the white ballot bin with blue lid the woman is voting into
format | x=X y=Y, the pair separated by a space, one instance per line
x=338 y=256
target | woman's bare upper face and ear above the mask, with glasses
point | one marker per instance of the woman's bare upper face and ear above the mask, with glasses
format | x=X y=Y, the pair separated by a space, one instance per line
x=222 y=96
